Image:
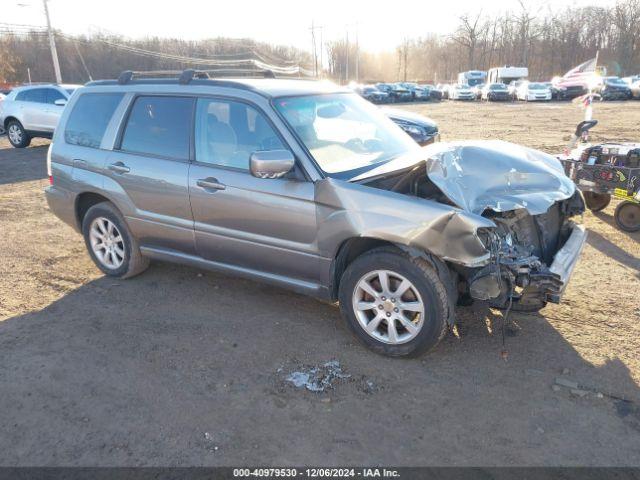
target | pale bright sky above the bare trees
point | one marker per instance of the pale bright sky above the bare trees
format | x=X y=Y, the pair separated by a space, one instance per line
x=379 y=25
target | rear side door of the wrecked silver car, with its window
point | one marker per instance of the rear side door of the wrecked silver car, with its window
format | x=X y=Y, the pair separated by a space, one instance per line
x=150 y=170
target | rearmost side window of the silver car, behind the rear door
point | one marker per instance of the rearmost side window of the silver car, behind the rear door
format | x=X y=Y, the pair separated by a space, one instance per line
x=89 y=119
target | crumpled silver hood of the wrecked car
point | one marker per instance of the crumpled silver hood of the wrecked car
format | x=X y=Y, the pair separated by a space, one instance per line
x=497 y=175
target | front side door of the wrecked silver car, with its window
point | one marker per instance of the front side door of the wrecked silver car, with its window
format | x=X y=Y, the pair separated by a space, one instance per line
x=265 y=225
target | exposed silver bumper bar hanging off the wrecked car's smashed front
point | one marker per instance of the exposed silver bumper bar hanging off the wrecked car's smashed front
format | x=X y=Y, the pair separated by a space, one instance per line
x=564 y=262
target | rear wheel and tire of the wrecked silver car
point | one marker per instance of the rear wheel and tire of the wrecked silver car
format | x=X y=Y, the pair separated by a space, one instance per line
x=110 y=243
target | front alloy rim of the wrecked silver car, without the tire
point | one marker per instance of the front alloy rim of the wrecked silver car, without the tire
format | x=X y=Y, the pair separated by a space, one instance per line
x=388 y=307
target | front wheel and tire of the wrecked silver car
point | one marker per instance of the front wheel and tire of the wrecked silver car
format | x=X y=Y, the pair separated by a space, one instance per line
x=396 y=304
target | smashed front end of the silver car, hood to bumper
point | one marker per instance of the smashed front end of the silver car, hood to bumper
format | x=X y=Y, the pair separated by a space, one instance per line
x=535 y=243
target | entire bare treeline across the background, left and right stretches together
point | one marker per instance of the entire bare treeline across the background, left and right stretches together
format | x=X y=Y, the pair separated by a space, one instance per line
x=549 y=43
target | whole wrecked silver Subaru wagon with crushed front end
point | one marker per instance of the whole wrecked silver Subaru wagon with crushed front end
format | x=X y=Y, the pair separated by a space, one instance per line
x=306 y=185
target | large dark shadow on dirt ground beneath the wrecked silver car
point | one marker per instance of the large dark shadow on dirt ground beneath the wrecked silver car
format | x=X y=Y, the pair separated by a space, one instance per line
x=177 y=367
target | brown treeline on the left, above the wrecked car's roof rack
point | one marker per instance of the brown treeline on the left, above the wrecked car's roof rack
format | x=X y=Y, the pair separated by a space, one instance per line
x=106 y=56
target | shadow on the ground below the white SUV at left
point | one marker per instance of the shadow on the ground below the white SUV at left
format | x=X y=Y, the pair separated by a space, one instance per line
x=22 y=164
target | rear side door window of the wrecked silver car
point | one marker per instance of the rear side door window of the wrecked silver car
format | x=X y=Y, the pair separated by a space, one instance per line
x=159 y=126
